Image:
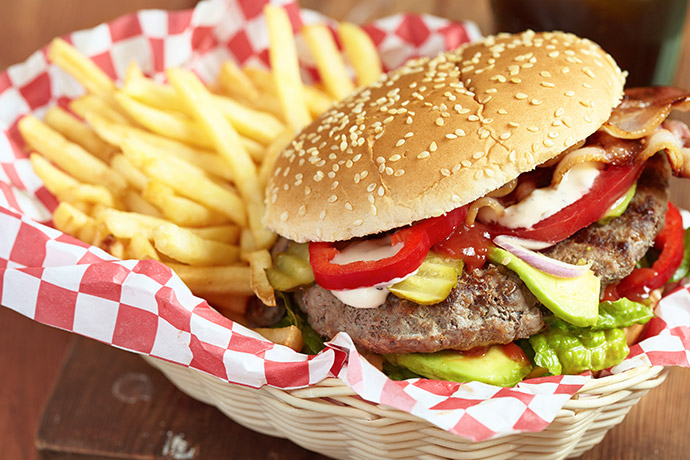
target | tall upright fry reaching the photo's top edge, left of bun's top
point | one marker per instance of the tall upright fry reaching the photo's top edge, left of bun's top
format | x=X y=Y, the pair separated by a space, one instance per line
x=286 y=73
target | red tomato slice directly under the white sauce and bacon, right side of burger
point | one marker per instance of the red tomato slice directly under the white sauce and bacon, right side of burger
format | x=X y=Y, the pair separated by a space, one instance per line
x=607 y=188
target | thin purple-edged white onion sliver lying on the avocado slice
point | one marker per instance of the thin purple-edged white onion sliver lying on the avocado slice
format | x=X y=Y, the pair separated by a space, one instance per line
x=520 y=248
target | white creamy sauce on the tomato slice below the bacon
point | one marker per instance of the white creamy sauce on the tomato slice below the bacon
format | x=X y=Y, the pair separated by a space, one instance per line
x=547 y=201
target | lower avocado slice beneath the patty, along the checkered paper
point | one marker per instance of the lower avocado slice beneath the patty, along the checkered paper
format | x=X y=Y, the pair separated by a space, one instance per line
x=499 y=365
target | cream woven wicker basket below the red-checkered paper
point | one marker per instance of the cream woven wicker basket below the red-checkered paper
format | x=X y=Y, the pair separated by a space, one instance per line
x=331 y=419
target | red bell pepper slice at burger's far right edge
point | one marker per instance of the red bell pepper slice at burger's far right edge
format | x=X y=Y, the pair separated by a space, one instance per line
x=642 y=281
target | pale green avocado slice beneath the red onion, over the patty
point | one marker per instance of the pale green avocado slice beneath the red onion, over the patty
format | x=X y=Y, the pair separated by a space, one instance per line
x=575 y=300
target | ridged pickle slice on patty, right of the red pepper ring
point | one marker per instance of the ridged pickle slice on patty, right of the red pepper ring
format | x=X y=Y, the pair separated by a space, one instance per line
x=432 y=283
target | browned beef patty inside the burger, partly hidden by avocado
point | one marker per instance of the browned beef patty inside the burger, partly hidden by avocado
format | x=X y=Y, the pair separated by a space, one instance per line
x=492 y=305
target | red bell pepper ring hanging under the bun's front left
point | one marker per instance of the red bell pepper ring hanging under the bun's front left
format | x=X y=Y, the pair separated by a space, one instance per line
x=416 y=241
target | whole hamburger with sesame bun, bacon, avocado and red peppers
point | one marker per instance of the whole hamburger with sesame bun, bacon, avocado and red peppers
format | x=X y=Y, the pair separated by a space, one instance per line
x=503 y=191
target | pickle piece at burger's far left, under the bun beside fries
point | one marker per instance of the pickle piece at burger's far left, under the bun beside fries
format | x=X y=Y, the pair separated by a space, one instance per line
x=291 y=268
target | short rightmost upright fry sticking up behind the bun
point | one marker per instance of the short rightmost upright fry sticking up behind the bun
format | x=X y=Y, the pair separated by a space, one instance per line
x=361 y=53
